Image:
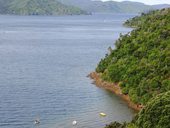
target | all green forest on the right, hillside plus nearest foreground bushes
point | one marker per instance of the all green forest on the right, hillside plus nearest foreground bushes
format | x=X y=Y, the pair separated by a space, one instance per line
x=140 y=64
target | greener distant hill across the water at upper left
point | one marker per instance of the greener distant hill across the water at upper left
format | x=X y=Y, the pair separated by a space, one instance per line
x=37 y=7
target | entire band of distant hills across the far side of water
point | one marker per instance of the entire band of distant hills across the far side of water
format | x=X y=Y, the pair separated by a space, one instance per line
x=72 y=7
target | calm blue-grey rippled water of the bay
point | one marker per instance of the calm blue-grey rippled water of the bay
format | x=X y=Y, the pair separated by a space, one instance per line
x=44 y=62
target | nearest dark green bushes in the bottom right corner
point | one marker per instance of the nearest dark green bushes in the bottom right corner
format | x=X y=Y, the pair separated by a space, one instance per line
x=156 y=114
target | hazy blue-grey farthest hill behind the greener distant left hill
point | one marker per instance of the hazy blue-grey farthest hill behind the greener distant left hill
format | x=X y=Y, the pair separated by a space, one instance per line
x=110 y=6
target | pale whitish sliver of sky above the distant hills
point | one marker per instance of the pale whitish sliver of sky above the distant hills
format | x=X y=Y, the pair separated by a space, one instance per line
x=151 y=2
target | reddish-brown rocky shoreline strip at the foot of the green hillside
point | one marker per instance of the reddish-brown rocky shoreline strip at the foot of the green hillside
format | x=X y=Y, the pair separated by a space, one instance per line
x=113 y=87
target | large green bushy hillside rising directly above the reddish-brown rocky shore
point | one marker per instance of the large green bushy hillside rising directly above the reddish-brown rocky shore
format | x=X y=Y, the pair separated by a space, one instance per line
x=141 y=60
